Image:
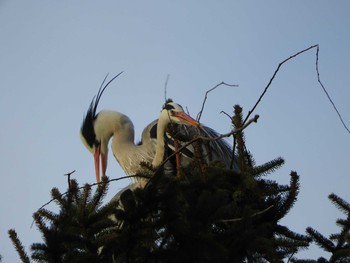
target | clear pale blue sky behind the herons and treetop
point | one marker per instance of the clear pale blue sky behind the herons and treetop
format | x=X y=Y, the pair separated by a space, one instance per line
x=55 y=54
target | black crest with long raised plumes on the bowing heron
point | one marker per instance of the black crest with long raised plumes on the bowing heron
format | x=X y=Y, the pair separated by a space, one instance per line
x=87 y=127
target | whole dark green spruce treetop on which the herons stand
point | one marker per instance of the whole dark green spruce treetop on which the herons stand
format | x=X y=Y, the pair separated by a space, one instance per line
x=208 y=214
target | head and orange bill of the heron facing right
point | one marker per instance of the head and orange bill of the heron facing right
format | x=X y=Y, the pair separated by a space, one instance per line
x=173 y=112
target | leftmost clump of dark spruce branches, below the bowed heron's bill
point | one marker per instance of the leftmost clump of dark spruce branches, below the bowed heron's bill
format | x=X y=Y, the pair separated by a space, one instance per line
x=77 y=232
